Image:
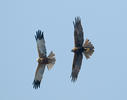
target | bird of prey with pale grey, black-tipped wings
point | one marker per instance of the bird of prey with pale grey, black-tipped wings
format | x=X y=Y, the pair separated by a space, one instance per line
x=43 y=59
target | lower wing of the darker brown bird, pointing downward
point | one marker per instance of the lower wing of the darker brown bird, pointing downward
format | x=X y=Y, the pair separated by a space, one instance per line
x=77 y=62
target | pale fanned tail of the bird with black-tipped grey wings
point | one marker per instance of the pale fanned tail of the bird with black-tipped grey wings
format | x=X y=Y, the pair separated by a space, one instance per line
x=51 y=60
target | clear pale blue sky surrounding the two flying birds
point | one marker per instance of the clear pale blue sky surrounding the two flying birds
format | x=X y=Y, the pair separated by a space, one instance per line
x=103 y=77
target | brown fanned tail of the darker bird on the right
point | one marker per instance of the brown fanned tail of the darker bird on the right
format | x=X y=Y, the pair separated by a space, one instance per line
x=88 y=49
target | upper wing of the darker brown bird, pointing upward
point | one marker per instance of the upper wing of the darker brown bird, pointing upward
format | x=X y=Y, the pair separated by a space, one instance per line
x=78 y=32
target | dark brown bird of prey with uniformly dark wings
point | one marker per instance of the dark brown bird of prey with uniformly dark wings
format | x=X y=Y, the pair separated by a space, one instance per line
x=87 y=48
